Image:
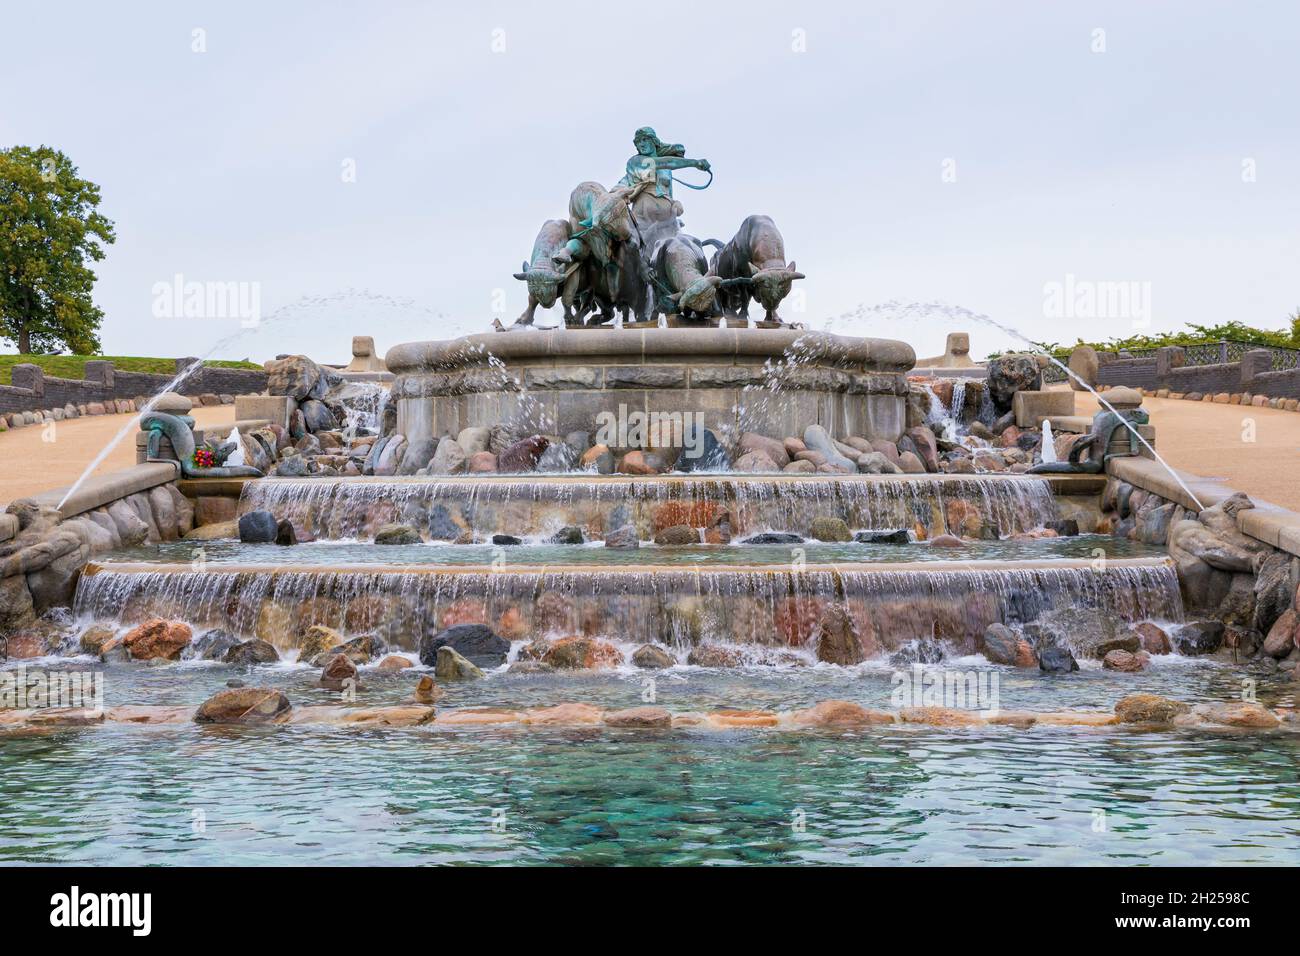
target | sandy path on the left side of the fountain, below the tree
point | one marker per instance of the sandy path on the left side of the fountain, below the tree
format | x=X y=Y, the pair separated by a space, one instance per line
x=29 y=464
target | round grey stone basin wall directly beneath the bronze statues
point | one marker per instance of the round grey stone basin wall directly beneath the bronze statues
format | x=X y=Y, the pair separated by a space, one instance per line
x=774 y=382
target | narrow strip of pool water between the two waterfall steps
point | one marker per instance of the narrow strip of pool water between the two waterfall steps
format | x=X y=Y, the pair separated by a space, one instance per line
x=341 y=553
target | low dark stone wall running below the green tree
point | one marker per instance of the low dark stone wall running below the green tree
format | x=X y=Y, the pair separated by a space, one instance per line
x=34 y=391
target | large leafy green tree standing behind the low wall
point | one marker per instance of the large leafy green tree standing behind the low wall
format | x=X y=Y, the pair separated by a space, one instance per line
x=50 y=233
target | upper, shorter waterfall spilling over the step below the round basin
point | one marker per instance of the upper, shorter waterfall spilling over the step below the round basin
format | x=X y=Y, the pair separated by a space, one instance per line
x=356 y=508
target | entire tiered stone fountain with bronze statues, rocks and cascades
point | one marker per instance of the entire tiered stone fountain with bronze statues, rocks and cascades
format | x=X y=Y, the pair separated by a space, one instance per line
x=653 y=521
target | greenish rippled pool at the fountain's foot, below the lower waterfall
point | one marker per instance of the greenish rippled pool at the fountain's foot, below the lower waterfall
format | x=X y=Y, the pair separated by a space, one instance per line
x=319 y=795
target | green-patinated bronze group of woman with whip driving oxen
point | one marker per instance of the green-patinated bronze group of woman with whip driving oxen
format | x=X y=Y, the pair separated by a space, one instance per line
x=622 y=253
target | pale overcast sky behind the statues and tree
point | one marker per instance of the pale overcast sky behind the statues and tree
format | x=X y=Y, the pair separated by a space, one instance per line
x=964 y=153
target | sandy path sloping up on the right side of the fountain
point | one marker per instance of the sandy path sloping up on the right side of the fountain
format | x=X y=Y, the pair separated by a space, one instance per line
x=1214 y=442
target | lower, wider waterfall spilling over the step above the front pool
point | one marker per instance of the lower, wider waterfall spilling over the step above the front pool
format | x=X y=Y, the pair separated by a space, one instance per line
x=894 y=604
